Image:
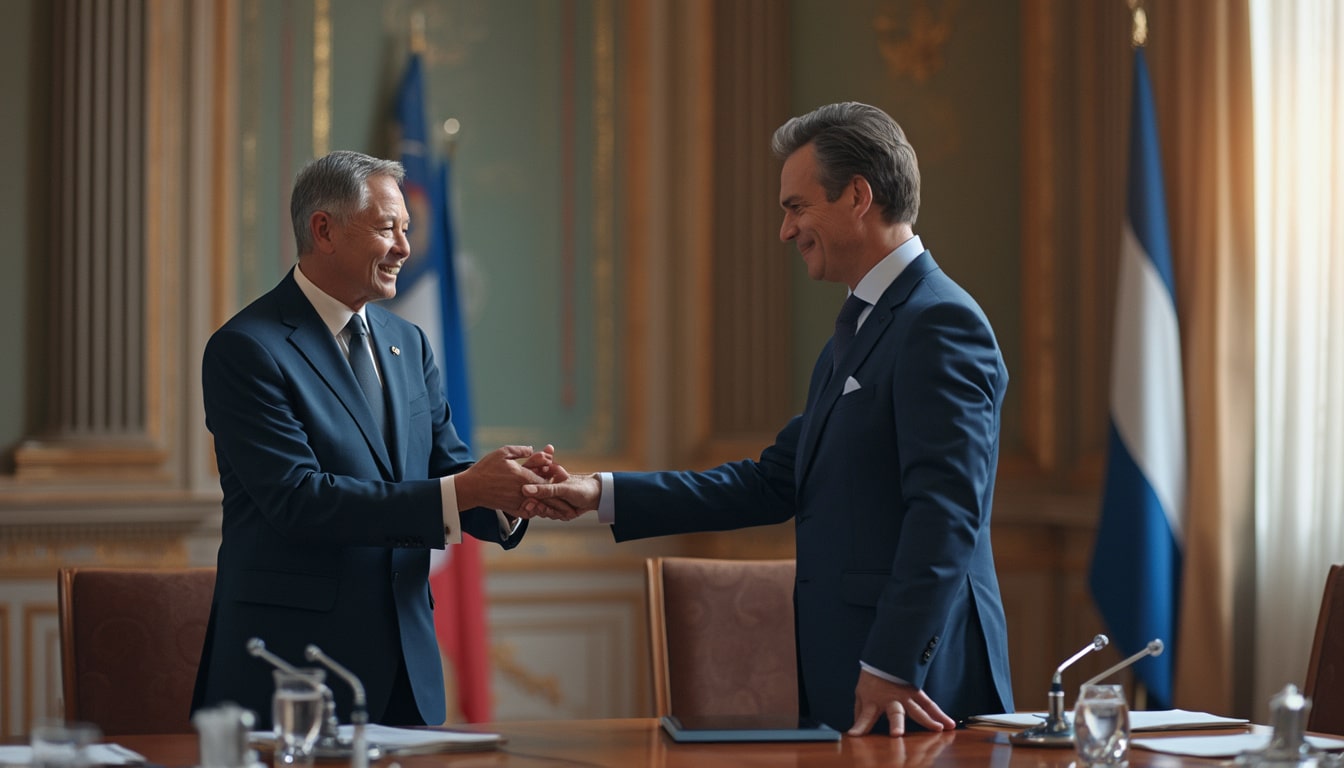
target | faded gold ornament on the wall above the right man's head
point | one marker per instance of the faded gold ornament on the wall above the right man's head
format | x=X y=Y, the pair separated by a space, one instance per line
x=912 y=37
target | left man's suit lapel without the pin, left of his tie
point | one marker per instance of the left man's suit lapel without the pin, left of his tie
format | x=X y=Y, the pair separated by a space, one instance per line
x=319 y=348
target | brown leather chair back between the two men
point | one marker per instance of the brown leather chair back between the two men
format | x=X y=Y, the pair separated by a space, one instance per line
x=722 y=637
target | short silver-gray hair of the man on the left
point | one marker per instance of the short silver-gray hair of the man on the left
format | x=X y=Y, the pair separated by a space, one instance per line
x=337 y=184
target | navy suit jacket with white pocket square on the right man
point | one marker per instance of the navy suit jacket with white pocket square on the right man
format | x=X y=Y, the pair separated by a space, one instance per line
x=890 y=490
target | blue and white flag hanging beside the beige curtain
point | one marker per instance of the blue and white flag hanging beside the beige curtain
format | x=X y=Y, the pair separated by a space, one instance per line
x=1136 y=564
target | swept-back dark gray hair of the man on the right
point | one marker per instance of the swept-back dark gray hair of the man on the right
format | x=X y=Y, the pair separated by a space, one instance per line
x=853 y=139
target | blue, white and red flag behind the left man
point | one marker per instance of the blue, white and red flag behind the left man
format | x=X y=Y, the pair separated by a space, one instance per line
x=428 y=297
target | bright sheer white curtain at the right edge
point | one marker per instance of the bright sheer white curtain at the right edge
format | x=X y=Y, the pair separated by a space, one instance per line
x=1299 y=89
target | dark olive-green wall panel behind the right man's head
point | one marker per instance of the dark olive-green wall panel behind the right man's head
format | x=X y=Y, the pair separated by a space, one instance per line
x=964 y=123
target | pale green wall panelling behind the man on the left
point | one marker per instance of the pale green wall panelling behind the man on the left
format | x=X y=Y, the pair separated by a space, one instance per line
x=503 y=72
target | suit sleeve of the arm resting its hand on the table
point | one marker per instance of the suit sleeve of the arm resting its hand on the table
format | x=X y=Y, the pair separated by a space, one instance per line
x=947 y=426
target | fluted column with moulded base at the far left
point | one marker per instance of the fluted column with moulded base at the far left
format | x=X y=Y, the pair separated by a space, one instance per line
x=135 y=130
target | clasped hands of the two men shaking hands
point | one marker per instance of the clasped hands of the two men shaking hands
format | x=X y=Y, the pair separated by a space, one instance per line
x=528 y=484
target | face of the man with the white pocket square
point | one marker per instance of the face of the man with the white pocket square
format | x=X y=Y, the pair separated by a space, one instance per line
x=826 y=232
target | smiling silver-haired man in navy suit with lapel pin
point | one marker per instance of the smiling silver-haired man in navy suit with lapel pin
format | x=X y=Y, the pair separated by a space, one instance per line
x=333 y=494
